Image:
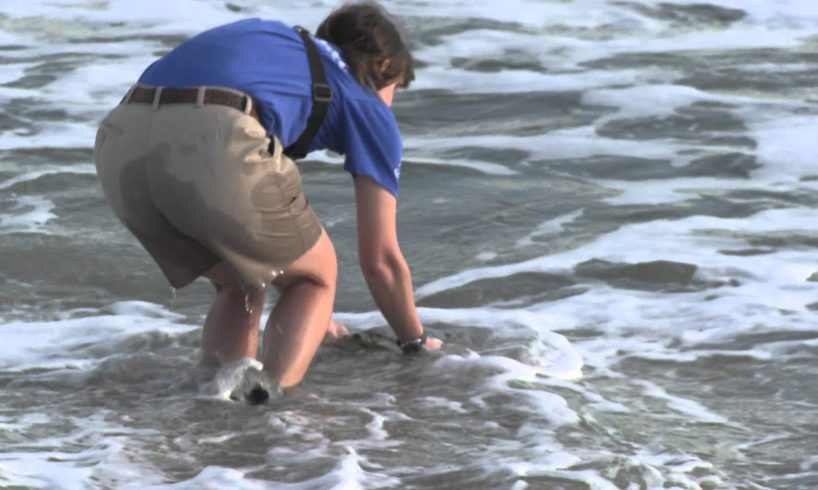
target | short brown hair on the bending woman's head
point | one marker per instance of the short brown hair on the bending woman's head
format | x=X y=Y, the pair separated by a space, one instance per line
x=368 y=37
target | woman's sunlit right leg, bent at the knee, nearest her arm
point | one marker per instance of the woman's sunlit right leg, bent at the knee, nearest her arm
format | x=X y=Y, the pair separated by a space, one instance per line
x=301 y=318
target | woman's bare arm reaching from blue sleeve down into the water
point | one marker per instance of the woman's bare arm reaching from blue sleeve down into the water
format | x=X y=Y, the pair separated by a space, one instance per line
x=385 y=270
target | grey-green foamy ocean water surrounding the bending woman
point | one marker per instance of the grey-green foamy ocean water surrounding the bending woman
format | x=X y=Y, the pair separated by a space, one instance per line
x=609 y=208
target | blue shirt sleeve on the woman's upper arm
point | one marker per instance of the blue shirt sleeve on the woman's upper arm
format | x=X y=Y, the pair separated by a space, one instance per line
x=372 y=142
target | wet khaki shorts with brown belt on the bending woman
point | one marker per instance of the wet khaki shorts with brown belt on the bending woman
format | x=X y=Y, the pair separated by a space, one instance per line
x=197 y=186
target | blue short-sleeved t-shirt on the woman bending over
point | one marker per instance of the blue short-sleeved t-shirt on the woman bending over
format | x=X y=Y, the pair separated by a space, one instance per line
x=268 y=61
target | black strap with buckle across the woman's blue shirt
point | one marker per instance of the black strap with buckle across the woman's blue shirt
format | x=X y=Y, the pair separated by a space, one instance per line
x=321 y=97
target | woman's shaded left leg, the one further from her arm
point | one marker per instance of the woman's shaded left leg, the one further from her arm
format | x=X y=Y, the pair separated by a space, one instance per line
x=230 y=332
